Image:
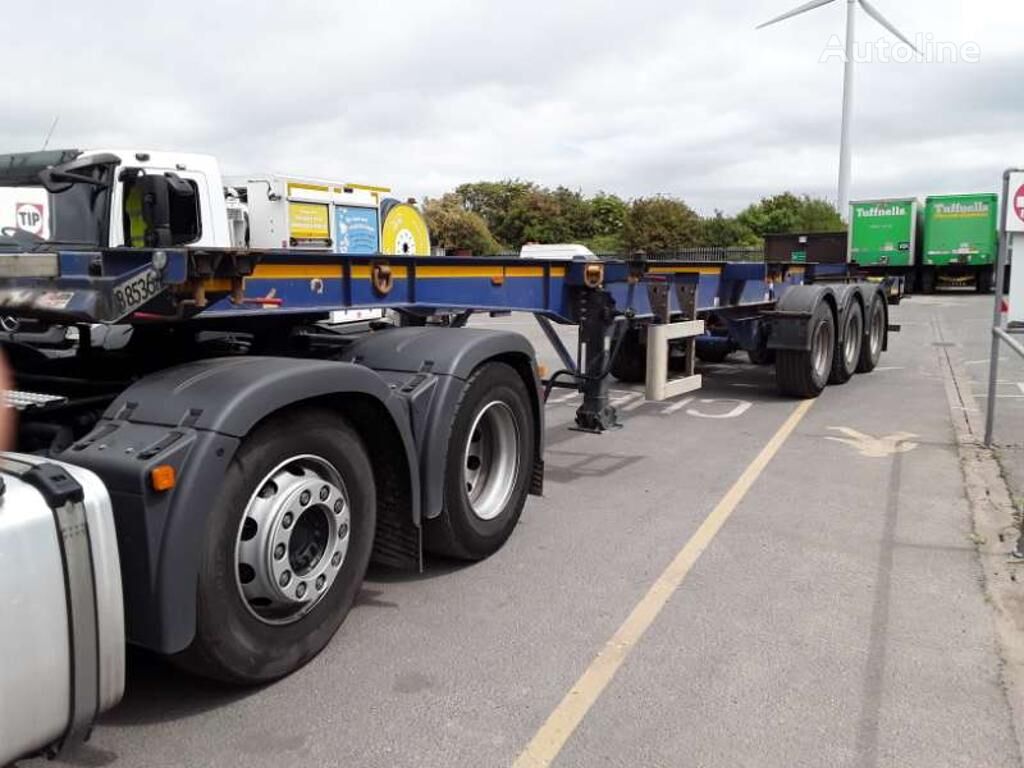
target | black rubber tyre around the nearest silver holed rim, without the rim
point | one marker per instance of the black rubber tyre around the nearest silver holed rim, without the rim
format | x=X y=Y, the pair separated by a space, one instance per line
x=232 y=644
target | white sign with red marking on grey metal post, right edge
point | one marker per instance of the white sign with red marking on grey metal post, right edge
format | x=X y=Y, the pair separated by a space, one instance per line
x=1008 y=315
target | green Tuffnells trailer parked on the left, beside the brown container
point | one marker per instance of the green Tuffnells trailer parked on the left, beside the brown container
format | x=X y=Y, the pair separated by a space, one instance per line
x=883 y=237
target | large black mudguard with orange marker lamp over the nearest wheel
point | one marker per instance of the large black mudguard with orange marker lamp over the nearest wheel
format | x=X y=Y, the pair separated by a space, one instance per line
x=194 y=418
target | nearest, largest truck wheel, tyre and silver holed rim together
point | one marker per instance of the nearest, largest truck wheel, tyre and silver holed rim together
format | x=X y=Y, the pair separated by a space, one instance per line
x=286 y=549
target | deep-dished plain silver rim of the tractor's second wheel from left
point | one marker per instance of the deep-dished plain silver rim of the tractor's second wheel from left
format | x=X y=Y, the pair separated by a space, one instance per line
x=491 y=461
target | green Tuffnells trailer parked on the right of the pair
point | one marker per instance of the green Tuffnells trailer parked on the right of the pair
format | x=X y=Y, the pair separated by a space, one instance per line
x=960 y=241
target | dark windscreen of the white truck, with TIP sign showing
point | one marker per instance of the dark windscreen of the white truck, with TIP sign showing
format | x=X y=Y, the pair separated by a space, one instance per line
x=70 y=210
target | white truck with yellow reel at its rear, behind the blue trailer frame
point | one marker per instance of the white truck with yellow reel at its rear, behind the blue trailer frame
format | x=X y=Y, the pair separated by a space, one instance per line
x=258 y=211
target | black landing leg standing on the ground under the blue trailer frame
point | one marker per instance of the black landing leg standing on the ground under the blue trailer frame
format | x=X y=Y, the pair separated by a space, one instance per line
x=596 y=318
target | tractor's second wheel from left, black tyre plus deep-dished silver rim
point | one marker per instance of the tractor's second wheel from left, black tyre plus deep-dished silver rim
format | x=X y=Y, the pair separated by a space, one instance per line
x=480 y=515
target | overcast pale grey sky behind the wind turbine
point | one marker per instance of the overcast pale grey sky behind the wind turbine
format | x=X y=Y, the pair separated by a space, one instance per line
x=634 y=98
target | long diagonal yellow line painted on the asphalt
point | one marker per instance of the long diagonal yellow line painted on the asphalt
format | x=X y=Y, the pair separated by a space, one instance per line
x=550 y=740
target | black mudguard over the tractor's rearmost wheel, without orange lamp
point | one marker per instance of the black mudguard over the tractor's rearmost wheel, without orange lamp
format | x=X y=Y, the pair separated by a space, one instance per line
x=436 y=363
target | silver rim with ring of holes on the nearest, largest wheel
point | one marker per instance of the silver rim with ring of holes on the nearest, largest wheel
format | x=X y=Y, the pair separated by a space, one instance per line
x=292 y=540
